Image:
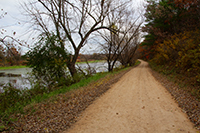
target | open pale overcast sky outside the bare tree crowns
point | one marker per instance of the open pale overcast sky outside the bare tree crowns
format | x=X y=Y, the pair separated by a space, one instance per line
x=14 y=21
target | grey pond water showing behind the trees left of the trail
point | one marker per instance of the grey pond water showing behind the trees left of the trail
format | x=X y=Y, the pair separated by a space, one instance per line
x=18 y=77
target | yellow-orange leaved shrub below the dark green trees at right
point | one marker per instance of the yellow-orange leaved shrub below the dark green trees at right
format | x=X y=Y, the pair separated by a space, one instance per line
x=182 y=52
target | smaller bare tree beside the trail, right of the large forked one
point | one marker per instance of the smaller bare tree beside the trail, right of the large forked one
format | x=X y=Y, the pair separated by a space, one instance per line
x=123 y=44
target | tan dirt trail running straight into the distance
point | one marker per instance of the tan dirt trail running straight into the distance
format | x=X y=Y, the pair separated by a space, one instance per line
x=135 y=104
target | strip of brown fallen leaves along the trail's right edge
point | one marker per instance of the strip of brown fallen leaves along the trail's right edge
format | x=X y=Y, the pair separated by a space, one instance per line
x=189 y=104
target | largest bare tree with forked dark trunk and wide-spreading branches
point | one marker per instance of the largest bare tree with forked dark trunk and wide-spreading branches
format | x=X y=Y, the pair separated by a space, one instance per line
x=73 y=21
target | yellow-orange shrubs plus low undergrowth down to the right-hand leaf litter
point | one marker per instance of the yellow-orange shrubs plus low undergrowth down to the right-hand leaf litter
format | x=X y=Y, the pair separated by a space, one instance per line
x=178 y=58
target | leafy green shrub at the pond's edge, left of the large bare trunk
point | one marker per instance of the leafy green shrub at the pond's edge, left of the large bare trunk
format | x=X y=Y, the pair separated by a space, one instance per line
x=48 y=60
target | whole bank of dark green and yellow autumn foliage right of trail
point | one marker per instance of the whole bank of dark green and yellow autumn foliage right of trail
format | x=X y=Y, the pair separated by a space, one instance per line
x=172 y=38
